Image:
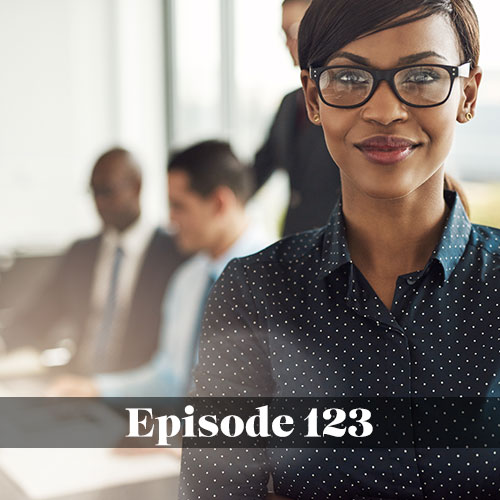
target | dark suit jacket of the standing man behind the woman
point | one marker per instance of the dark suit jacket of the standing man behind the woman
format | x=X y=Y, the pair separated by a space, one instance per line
x=298 y=146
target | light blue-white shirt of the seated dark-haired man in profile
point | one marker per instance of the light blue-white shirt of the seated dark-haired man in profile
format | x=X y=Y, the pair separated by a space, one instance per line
x=169 y=371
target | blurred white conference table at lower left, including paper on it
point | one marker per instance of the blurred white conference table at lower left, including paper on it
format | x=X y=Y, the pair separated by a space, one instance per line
x=77 y=474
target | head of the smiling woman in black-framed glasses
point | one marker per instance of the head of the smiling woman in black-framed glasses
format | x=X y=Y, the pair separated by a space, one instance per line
x=421 y=88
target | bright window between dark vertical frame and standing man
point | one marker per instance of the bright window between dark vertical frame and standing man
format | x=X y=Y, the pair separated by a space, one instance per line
x=220 y=56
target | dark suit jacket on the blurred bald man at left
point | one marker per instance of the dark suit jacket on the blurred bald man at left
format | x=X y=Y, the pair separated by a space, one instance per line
x=66 y=296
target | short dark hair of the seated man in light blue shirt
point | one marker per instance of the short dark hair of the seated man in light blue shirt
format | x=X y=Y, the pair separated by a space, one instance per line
x=211 y=164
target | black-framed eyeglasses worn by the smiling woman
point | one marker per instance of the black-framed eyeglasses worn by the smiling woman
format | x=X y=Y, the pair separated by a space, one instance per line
x=419 y=86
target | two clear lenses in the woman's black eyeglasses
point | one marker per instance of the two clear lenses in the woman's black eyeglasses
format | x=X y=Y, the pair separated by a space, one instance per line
x=418 y=85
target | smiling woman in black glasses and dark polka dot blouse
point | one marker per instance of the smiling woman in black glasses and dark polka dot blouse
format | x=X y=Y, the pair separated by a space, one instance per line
x=396 y=296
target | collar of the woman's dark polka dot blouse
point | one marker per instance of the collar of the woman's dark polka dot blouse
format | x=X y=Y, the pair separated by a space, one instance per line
x=448 y=252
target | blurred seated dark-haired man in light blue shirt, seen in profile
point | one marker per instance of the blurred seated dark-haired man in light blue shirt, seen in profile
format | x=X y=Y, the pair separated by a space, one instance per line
x=208 y=188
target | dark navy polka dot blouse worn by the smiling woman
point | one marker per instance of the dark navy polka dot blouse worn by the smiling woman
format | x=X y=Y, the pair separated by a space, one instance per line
x=299 y=319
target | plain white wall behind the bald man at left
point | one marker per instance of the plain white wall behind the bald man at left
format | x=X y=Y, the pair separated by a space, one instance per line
x=78 y=76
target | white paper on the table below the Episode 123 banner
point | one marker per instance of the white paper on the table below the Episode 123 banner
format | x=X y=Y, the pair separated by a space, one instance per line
x=47 y=473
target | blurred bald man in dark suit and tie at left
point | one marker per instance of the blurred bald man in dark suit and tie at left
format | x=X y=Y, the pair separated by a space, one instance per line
x=107 y=288
